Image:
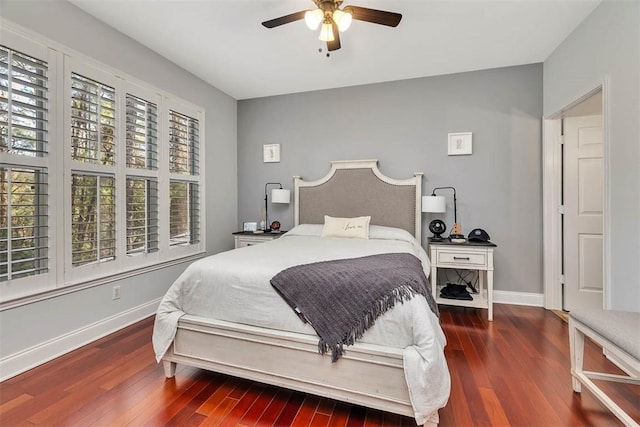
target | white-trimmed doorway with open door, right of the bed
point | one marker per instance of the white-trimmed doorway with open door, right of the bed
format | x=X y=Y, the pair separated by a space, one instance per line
x=575 y=204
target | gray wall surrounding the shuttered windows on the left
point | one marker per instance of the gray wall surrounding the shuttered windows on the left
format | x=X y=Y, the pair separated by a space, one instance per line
x=62 y=22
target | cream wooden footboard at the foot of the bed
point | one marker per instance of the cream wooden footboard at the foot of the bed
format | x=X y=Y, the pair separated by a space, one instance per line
x=367 y=375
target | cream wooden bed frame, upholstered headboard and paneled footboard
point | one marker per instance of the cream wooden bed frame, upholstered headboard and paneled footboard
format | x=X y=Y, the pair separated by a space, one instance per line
x=367 y=375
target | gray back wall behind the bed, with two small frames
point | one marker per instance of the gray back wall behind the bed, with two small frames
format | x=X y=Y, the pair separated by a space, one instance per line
x=404 y=124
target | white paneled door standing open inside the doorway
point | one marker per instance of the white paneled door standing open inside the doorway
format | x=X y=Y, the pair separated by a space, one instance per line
x=583 y=191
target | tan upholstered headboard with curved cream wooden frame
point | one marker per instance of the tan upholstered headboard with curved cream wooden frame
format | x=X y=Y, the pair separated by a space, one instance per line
x=358 y=188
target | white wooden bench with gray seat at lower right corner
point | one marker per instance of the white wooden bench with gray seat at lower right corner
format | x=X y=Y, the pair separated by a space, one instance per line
x=618 y=333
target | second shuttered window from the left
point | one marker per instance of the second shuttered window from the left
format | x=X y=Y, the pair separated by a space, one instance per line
x=93 y=135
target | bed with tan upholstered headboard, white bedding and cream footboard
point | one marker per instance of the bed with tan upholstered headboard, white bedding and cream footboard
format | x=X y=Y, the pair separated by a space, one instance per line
x=240 y=326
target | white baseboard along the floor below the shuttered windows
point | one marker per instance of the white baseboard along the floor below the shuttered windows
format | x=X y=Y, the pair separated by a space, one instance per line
x=24 y=360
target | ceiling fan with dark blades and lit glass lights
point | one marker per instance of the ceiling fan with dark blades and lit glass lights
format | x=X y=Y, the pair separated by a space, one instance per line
x=335 y=20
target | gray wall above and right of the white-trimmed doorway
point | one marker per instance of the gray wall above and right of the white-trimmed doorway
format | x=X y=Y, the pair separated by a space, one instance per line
x=607 y=46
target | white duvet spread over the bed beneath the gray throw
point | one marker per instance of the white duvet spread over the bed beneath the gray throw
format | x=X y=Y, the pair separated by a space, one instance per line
x=235 y=286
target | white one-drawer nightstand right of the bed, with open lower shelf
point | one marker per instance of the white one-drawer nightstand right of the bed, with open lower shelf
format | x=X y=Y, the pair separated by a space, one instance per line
x=468 y=256
